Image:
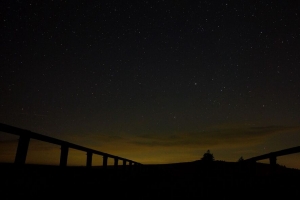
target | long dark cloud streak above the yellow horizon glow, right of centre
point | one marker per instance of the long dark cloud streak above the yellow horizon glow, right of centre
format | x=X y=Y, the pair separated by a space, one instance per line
x=235 y=136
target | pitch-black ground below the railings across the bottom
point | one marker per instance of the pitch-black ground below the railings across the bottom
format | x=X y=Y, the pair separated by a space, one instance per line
x=186 y=180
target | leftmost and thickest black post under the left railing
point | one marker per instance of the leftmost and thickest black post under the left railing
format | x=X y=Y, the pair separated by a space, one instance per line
x=22 y=149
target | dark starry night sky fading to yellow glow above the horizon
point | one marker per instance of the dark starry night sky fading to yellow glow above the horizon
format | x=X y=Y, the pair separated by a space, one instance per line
x=152 y=81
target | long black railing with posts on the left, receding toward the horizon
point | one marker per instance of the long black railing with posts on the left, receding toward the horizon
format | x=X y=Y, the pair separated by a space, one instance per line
x=26 y=135
